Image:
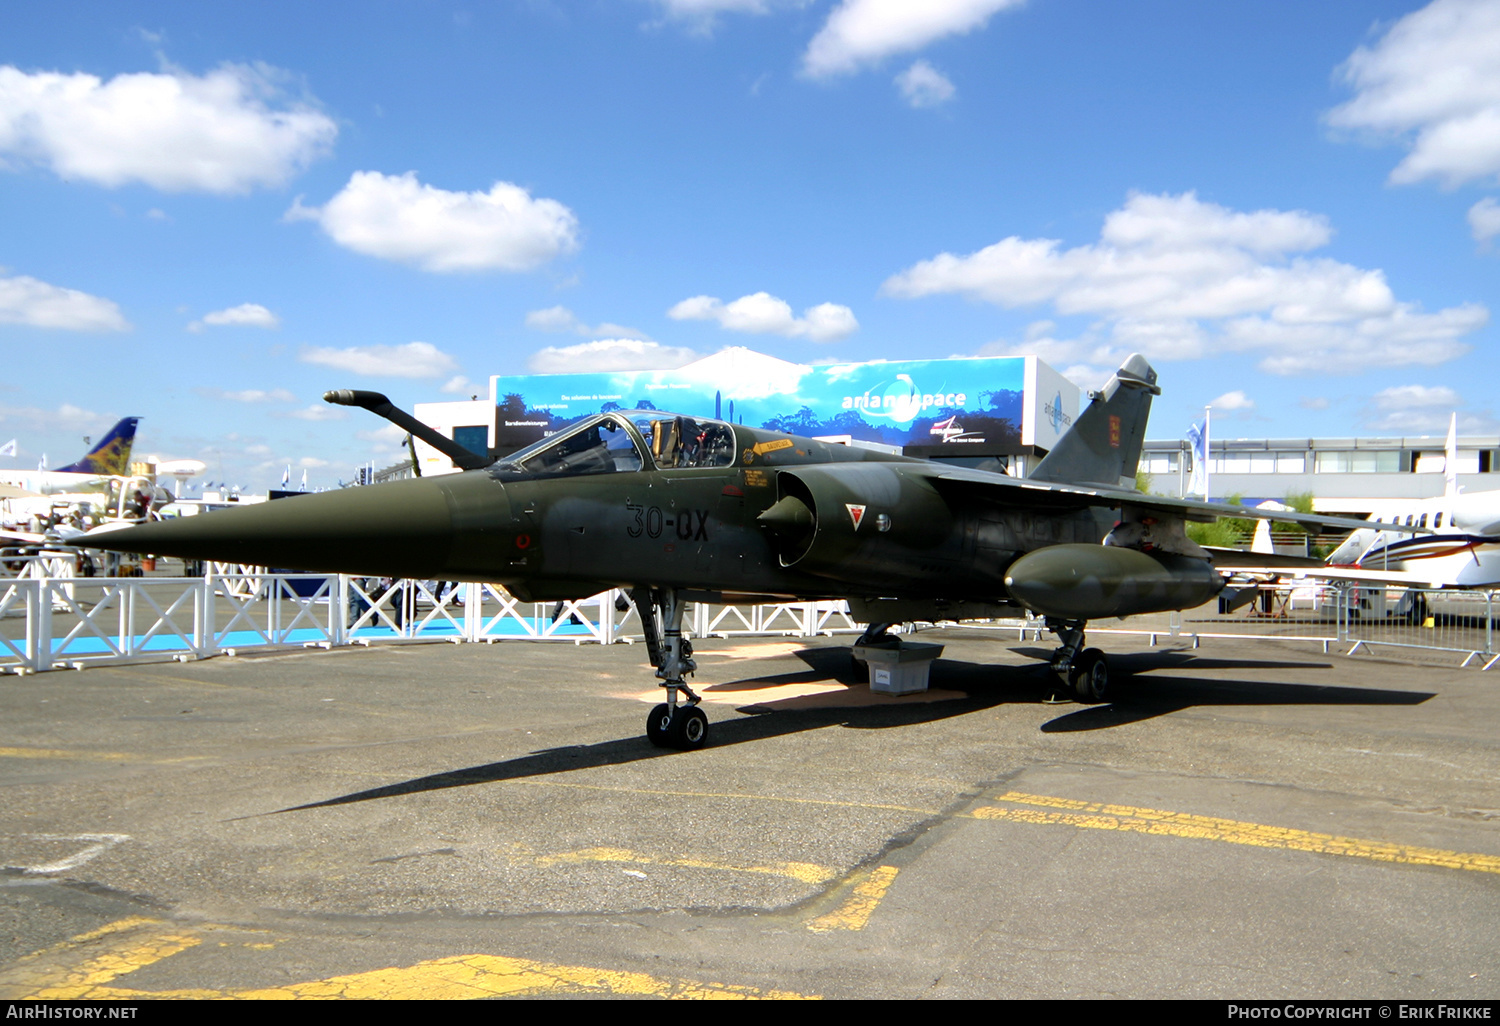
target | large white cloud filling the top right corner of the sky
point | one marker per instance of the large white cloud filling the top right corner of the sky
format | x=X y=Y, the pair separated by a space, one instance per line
x=1433 y=83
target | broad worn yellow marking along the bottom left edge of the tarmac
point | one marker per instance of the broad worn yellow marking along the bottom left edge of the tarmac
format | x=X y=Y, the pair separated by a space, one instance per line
x=134 y=944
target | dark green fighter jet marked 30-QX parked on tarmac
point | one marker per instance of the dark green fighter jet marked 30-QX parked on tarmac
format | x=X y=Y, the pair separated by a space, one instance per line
x=680 y=509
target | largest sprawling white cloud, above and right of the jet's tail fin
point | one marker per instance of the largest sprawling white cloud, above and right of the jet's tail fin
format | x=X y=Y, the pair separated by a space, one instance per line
x=1178 y=278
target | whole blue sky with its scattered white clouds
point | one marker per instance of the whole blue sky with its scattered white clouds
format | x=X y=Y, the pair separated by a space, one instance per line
x=212 y=214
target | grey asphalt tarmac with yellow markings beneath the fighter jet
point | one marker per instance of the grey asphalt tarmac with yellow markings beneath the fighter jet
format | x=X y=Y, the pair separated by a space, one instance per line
x=1247 y=820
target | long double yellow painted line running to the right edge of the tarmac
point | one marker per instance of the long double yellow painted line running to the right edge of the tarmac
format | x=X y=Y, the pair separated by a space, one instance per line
x=1168 y=824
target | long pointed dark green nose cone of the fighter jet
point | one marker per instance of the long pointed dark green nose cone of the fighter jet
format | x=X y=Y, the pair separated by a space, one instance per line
x=395 y=530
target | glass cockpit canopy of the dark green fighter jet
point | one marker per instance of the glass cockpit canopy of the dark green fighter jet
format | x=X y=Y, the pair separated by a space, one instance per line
x=625 y=442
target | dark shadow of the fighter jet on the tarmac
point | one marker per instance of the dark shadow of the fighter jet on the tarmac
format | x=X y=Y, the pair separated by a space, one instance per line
x=979 y=686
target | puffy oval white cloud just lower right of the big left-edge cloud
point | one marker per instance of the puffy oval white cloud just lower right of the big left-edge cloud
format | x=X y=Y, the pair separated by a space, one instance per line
x=403 y=220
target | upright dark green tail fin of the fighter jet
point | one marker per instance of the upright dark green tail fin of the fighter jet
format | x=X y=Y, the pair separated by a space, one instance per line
x=1103 y=446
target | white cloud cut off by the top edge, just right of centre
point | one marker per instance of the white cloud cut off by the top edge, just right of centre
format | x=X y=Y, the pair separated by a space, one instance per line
x=863 y=32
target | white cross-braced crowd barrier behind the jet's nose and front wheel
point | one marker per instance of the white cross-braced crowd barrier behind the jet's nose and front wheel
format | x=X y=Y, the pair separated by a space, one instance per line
x=52 y=619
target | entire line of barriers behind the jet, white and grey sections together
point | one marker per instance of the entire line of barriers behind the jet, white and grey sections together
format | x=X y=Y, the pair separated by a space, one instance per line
x=50 y=619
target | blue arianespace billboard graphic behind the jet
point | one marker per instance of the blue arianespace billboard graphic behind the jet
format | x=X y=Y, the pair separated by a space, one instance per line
x=907 y=404
